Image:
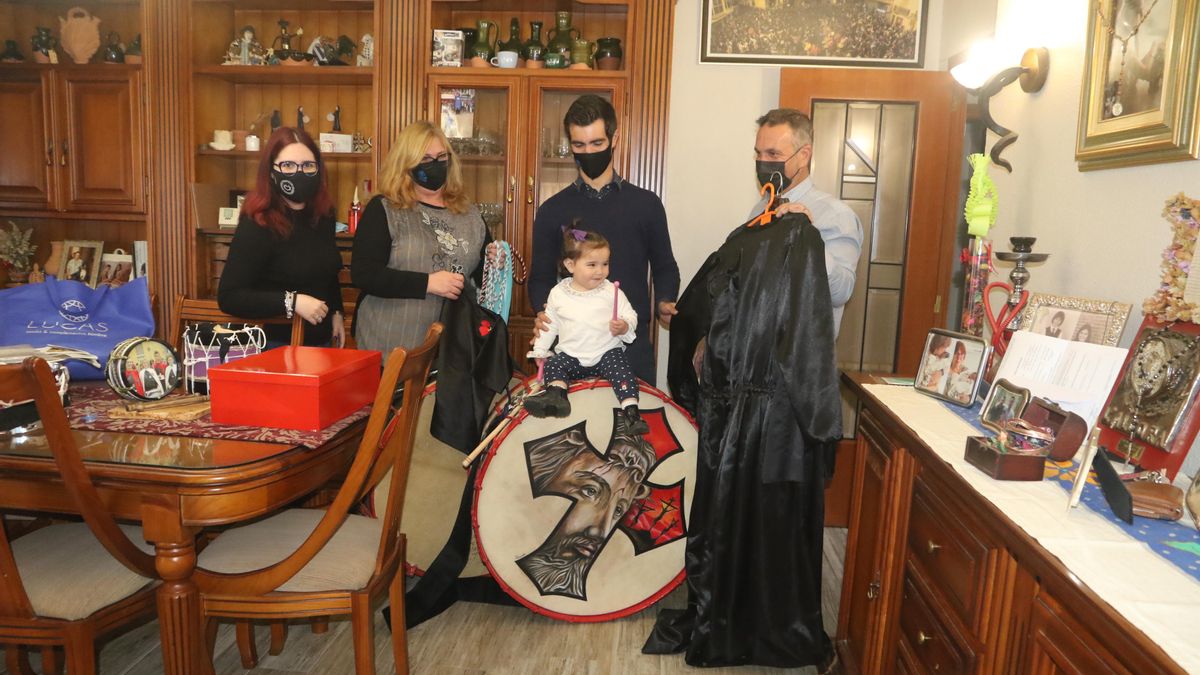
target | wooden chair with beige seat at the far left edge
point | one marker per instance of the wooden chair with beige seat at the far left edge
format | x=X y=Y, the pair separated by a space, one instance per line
x=67 y=586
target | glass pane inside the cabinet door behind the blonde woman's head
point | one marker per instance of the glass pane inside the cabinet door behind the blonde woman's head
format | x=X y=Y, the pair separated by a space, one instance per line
x=477 y=123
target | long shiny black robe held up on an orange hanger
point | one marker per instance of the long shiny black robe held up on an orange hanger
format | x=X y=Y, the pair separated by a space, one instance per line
x=770 y=416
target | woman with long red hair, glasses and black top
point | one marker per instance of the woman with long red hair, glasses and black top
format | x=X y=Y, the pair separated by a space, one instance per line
x=284 y=259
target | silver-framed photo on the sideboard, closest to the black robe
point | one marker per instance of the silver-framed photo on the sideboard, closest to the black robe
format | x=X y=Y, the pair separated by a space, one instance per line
x=952 y=367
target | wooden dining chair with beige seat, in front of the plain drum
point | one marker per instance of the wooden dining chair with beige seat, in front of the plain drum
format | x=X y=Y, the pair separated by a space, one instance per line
x=310 y=564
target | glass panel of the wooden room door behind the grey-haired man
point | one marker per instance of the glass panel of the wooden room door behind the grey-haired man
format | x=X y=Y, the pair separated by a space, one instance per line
x=863 y=154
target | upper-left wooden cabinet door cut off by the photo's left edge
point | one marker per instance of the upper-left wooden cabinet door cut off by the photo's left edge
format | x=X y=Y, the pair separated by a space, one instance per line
x=28 y=162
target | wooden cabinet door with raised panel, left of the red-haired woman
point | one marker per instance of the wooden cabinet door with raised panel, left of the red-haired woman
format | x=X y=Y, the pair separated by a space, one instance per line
x=101 y=158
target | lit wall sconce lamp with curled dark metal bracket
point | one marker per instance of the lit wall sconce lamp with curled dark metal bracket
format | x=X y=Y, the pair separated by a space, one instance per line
x=987 y=70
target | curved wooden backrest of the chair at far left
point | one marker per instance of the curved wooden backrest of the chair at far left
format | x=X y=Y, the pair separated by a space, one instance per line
x=32 y=380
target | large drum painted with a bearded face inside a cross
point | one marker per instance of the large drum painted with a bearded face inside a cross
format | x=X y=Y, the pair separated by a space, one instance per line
x=581 y=521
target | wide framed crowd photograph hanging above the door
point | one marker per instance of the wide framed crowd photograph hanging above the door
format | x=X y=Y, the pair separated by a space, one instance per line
x=824 y=33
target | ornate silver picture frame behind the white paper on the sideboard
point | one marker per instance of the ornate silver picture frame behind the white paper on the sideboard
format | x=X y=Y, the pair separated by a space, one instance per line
x=1082 y=320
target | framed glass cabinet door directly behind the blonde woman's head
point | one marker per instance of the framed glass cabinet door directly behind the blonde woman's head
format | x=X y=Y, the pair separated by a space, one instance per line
x=479 y=121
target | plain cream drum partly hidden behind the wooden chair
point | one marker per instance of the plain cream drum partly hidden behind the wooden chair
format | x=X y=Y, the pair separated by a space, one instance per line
x=436 y=481
